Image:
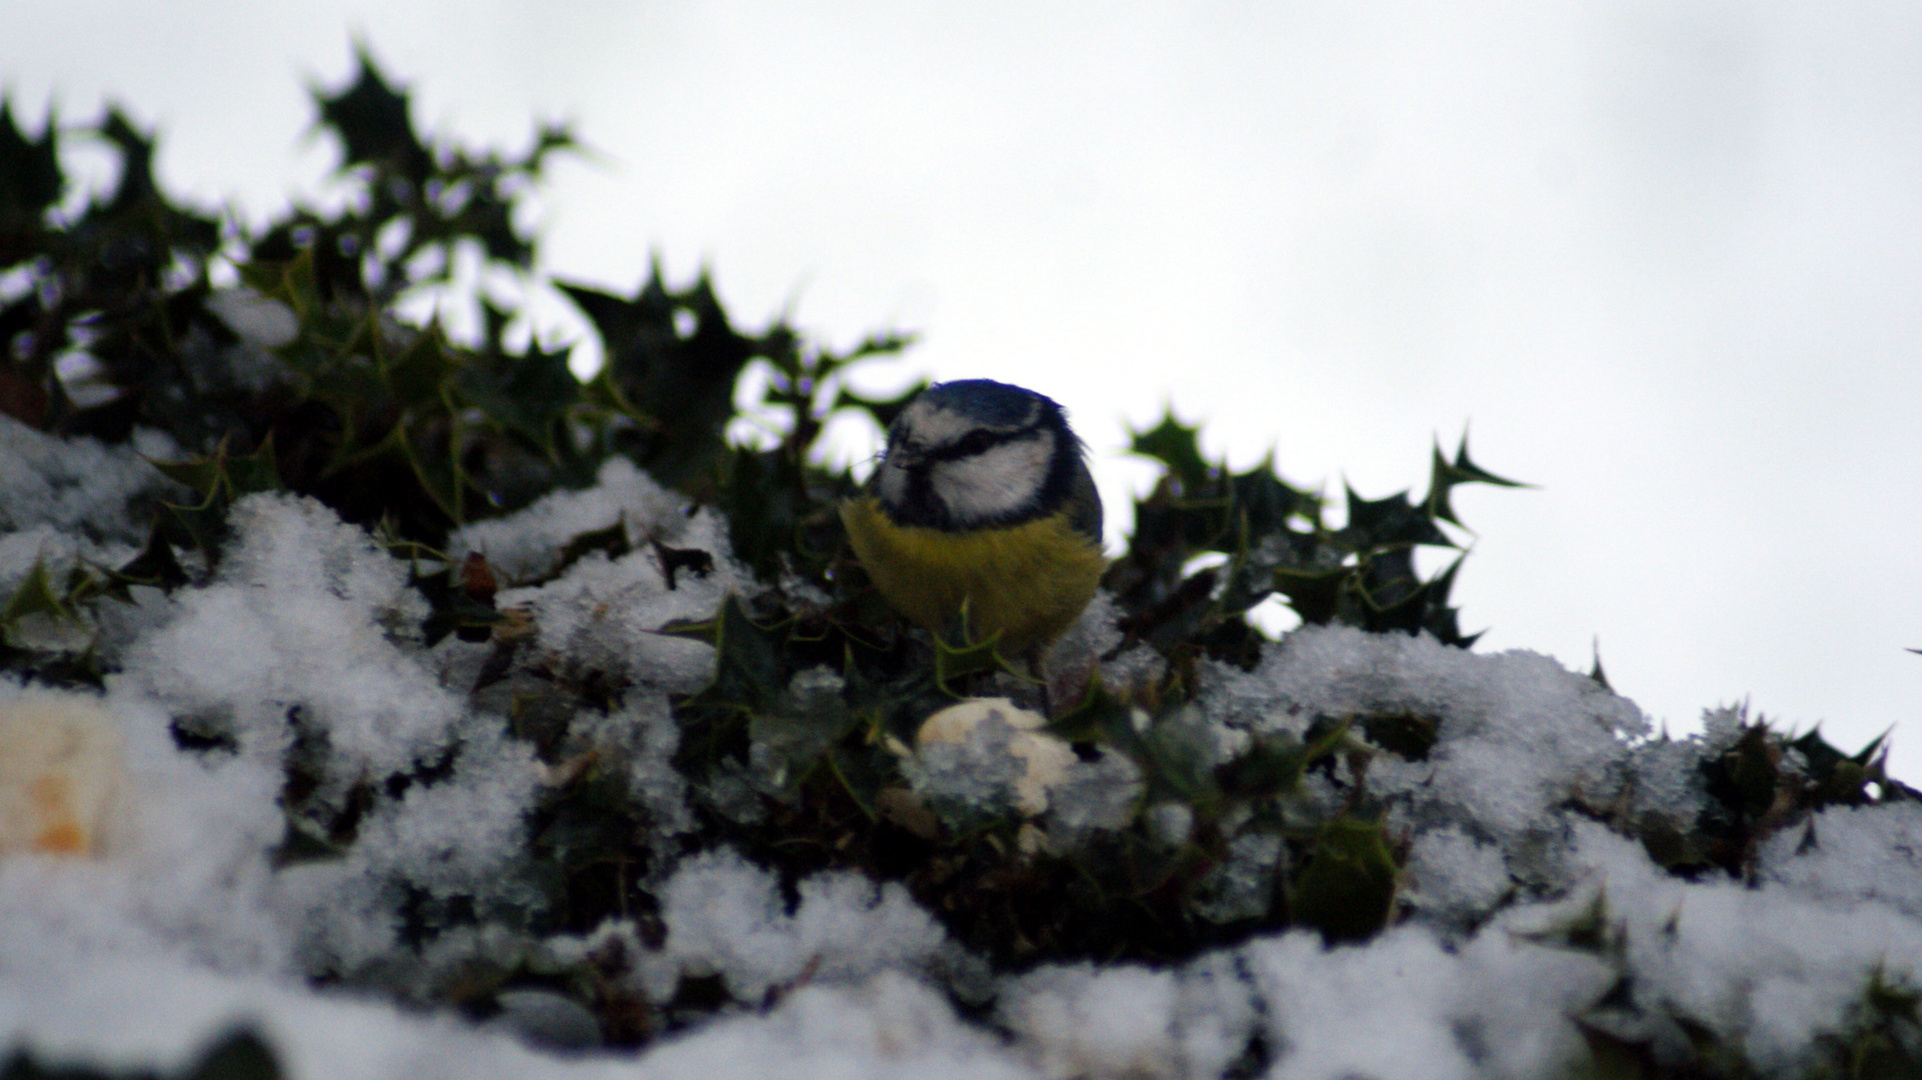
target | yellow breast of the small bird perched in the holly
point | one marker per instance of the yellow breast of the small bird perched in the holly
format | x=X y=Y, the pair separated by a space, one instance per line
x=1025 y=583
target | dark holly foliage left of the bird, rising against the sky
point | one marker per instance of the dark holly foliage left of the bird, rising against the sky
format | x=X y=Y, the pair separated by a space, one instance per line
x=383 y=422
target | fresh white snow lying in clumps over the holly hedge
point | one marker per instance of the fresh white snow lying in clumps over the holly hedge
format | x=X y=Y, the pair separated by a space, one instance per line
x=307 y=641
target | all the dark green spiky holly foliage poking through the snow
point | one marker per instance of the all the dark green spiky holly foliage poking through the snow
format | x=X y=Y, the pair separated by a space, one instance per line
x=799 y=752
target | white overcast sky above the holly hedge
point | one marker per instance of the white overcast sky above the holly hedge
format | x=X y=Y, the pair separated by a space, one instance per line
x=1663 y=258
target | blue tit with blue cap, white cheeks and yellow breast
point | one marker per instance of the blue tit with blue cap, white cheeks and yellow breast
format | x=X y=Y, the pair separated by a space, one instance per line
x=983 y=499
